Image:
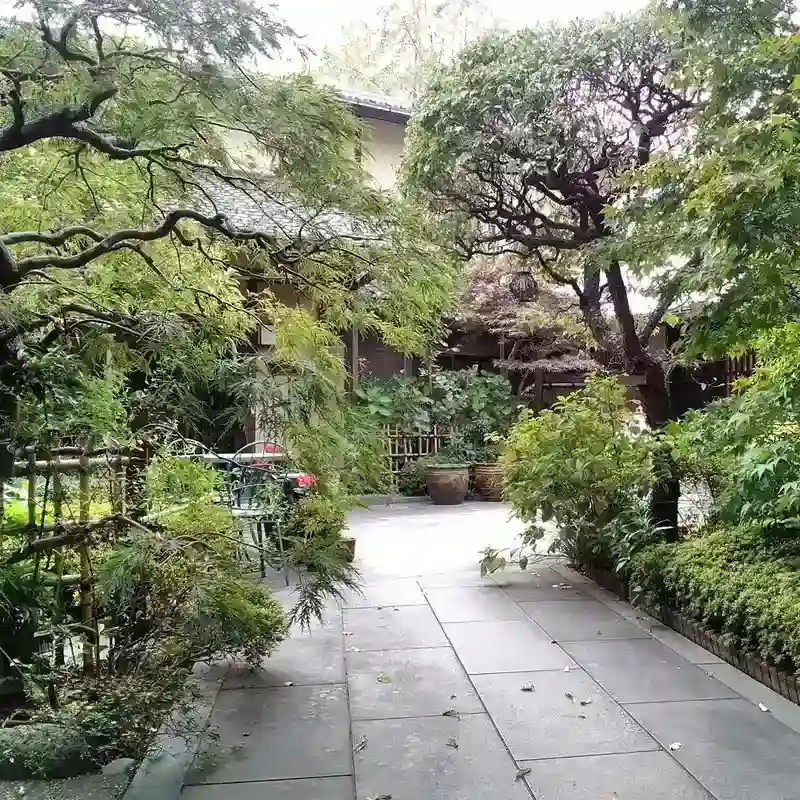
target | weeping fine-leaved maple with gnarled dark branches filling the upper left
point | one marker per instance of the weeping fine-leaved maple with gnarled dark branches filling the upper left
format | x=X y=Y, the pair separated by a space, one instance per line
x=148 y=170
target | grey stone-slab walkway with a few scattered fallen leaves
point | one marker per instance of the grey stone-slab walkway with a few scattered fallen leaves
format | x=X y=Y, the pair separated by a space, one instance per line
x=437 y=685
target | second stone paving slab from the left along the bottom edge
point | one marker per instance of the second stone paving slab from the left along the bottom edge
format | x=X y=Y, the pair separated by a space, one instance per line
x=412 y=759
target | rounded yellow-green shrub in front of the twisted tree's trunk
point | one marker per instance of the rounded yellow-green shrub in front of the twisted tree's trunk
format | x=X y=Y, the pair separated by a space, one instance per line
x=581 y=465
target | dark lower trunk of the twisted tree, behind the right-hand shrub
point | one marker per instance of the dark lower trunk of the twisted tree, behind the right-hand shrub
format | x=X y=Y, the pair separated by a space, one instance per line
x=659 y=411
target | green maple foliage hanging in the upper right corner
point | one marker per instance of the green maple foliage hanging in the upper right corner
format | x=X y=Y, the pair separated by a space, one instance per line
x=730 y=195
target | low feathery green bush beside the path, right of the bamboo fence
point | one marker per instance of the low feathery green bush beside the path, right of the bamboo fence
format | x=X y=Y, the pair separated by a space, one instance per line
x=184 y=589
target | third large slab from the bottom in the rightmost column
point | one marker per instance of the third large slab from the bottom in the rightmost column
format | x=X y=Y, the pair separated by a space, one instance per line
x=578 y=620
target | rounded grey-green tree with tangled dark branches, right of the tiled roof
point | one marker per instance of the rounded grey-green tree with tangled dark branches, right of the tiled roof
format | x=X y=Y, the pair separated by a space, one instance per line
x=524 y=141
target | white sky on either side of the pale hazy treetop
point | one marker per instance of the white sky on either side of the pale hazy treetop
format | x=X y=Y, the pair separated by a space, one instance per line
x=322 y=21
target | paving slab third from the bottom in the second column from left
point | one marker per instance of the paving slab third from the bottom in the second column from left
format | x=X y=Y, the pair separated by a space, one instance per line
x=392 y=628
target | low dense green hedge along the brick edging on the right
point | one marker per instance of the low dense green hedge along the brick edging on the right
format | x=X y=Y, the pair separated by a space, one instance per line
x=742 y=584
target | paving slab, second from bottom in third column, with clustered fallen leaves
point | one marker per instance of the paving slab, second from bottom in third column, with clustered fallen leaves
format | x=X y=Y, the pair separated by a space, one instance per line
x=550 y=722
